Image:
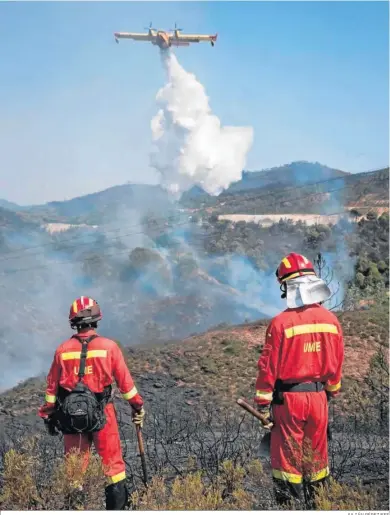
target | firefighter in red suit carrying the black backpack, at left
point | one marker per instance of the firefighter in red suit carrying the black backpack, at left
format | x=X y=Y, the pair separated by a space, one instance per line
x=103 y=363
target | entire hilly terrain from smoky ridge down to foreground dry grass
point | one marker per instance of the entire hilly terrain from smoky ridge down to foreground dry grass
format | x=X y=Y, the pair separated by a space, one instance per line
x=188 y=297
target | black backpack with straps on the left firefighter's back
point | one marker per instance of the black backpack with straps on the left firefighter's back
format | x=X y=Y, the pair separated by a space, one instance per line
x=81 y=410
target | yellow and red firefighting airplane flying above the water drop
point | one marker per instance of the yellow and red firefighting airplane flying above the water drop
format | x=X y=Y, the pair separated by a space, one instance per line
x=165 y=39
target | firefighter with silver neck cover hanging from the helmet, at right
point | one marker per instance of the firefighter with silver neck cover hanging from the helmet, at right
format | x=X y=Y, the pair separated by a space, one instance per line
x=299 y=370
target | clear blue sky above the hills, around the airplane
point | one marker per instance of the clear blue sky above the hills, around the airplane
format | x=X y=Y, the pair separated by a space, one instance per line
x=311 y=78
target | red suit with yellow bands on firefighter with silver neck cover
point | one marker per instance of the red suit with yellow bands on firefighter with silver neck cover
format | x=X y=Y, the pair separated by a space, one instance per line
x=302 y=345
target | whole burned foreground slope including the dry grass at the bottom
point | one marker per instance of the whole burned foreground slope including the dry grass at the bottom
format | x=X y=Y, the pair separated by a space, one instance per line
x=202 y=451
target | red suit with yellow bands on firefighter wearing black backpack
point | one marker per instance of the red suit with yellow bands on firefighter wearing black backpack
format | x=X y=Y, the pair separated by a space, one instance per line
x=103 y=363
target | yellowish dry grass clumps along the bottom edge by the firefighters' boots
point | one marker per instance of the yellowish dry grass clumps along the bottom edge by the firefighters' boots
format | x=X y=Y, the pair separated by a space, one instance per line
x=28 y=485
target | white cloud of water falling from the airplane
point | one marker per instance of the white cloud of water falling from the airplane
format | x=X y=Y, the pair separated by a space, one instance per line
x=192 y=148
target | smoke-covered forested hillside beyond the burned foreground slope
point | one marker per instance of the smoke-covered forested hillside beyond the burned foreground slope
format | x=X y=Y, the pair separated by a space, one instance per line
x=163 y=272
